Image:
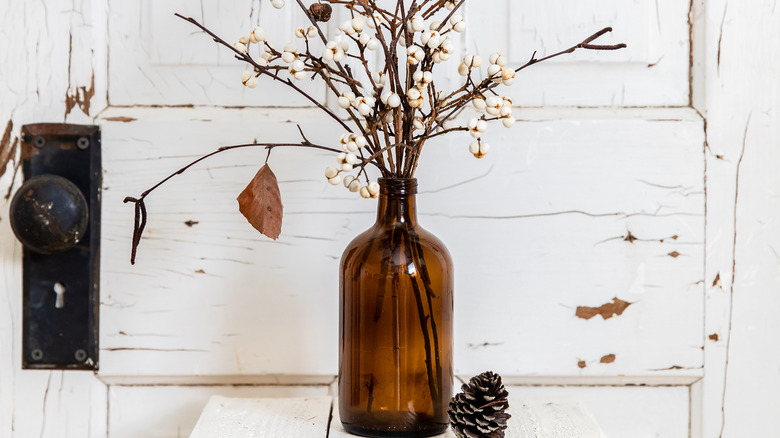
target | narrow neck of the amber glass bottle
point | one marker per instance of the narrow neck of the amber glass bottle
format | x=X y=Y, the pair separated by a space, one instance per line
x=397 y=202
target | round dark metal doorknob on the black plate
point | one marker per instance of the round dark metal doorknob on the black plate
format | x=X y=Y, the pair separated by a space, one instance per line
x=49 y=214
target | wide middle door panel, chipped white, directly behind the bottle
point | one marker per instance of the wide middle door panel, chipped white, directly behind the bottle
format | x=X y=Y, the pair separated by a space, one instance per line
x=569 y=210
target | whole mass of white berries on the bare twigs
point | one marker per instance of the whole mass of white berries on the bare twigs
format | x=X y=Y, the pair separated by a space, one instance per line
x=426 y=43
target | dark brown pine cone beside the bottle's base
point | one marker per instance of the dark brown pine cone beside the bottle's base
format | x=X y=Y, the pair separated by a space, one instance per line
x=480 y=410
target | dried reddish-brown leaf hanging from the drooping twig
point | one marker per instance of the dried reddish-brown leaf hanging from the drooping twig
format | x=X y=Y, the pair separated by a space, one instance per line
x=261 y=203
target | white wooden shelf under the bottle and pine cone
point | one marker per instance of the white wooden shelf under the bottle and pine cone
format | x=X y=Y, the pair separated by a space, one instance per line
x=313 y=417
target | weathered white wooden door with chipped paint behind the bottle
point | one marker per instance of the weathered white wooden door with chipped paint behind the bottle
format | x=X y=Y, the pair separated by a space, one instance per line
x=589 y=244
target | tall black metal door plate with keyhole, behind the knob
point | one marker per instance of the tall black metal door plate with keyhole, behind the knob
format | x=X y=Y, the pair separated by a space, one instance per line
x=61 y=290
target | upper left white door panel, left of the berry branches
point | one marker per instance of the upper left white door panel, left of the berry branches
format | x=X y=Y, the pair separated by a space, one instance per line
x=156 y=58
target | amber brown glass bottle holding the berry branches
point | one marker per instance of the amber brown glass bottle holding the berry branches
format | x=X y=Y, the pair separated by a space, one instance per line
x=395 y=361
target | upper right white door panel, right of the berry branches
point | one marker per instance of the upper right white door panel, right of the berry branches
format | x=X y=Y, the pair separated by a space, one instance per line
x=651 y=71
